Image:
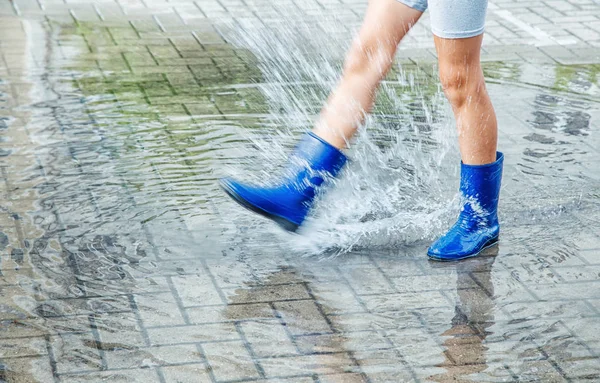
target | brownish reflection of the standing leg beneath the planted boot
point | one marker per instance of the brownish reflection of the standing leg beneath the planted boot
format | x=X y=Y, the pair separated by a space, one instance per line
x=474 y=313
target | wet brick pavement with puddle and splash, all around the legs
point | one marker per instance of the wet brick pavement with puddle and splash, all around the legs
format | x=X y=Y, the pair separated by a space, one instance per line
x=121 y=260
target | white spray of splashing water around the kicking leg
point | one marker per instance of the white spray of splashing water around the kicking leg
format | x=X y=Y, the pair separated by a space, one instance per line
x=395 y=189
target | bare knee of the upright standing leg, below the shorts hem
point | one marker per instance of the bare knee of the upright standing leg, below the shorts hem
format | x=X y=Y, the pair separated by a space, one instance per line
x=460 y=82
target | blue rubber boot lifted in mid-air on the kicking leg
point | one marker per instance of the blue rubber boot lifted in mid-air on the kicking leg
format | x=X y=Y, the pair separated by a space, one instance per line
x=289 y=201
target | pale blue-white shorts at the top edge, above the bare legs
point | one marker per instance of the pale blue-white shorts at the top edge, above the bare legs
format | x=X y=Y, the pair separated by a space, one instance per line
x=453 y=19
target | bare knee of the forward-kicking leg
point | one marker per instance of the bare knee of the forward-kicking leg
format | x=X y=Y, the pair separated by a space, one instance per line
x=369 y=57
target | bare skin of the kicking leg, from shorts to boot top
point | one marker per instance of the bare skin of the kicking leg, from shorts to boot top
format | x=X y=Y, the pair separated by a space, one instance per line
x=368 y=61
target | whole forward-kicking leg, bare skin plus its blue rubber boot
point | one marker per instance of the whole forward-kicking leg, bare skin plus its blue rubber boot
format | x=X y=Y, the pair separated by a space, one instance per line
x=368 y=61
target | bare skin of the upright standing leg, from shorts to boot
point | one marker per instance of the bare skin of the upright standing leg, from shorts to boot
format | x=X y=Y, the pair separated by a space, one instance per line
x=463 y=83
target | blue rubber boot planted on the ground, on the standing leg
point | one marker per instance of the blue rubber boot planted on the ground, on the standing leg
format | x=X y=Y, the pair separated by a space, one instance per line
x=477 y=227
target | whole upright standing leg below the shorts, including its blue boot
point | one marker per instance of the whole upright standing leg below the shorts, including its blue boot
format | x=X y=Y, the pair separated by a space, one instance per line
x=477 y=227
